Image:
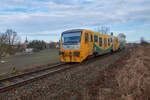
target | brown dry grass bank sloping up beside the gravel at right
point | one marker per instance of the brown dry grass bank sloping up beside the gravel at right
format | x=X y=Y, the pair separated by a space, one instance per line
x=126 y=79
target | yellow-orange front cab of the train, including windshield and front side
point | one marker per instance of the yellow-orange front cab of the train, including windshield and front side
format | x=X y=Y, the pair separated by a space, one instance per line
x=72 y=52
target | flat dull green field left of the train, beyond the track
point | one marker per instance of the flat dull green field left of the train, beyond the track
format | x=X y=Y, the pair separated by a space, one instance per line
x=30 y=60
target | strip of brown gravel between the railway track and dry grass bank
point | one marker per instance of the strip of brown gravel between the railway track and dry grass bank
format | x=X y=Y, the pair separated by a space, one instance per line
x=67 y=85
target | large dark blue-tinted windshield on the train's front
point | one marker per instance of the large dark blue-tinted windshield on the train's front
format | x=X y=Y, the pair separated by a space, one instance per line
x=74 y=37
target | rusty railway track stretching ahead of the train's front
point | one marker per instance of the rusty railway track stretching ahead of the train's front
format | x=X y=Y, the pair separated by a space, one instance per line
x=28 y=77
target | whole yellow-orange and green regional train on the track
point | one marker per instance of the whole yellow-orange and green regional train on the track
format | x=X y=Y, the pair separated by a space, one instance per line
x=78 y=44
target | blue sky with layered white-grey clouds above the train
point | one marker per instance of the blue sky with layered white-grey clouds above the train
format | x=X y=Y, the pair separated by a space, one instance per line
x=46 y=19
